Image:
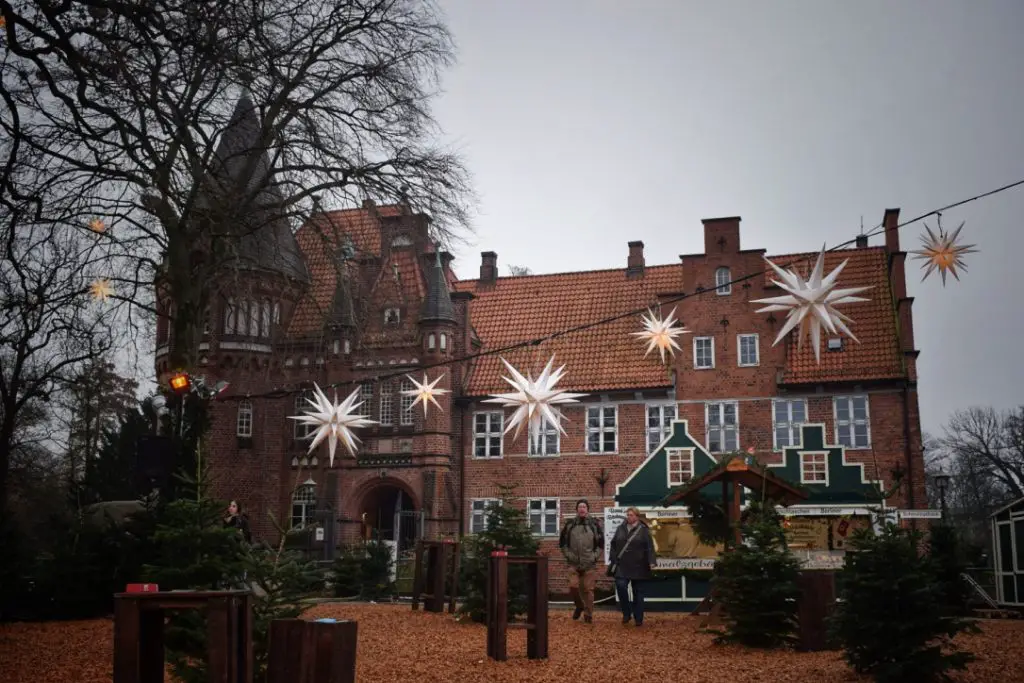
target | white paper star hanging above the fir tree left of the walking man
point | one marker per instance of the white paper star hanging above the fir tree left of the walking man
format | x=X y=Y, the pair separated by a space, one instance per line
x=536 y=402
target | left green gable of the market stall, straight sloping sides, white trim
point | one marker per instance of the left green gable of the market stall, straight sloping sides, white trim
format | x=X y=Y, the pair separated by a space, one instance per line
x=650 y=483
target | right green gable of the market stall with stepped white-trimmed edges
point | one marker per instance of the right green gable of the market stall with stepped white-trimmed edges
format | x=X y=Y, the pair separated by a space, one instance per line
x=847 y=483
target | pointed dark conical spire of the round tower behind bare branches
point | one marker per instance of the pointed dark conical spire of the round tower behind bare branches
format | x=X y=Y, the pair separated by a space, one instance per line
x=242 y=168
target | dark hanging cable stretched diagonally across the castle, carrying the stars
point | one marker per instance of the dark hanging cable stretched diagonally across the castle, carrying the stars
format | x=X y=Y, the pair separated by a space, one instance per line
x=278 y=394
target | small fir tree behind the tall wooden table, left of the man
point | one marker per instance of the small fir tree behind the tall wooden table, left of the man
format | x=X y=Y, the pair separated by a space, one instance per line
x=507 y=529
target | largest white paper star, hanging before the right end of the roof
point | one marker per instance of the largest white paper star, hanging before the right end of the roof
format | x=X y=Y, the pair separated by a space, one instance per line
x=812 y=304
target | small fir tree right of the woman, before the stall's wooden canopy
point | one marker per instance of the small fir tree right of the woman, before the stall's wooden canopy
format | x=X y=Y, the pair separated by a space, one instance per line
x=757 y=584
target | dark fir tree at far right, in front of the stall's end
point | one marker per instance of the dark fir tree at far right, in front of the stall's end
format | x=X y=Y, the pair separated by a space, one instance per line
x=892 y=623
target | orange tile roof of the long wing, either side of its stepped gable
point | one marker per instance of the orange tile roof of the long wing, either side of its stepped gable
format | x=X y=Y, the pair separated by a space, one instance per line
x=606 y=358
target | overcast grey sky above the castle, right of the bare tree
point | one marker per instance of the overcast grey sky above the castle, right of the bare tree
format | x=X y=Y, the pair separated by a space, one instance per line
x=590 y=124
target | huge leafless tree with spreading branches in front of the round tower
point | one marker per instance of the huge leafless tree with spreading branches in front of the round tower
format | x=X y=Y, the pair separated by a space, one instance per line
x=133 y=99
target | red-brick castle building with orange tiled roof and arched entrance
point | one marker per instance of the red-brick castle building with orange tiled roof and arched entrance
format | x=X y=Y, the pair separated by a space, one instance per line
x=360 y=294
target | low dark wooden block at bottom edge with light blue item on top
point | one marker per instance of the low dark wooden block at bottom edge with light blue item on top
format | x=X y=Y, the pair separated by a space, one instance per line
x=313 y=652
